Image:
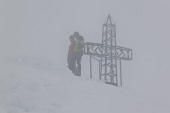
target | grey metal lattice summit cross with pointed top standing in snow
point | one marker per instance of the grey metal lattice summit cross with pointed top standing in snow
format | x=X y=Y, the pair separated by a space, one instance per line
x=108 y=54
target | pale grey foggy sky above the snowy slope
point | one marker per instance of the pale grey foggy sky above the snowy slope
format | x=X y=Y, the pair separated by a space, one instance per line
x=41 y=28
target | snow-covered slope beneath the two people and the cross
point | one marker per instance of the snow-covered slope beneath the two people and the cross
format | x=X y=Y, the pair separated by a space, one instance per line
x=31 y=85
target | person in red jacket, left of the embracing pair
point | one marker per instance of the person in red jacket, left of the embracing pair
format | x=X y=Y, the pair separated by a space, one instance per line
x=71 y=55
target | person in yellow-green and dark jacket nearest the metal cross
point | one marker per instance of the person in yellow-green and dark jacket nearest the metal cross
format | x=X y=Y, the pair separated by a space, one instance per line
x=78 y=50
